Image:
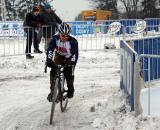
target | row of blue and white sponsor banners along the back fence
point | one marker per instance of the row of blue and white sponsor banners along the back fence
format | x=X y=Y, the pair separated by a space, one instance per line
x=15 y=28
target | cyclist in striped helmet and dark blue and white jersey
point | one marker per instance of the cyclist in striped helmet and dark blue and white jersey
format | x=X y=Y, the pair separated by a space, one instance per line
x=62 y=50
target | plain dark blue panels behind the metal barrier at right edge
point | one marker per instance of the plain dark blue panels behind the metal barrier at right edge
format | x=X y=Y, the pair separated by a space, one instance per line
x=150 y=45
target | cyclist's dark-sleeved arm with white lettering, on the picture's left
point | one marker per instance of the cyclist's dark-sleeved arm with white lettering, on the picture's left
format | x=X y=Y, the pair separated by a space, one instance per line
x=50 y=51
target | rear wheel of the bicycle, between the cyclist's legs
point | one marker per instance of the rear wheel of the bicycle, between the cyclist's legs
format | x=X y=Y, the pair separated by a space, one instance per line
x=63 y=93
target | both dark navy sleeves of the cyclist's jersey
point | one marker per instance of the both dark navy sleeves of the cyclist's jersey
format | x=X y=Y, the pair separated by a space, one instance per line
x=54 y=45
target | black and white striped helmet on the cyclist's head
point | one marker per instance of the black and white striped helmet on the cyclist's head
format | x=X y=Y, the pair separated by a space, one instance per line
x=64 y=28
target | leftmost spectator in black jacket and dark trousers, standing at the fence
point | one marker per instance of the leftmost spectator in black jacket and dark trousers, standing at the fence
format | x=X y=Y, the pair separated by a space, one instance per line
x=32 y=24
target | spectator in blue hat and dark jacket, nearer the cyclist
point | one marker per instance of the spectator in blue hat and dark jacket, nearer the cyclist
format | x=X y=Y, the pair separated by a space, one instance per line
x=50 y=21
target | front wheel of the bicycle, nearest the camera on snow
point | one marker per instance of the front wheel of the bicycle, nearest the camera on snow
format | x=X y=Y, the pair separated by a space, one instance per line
x=55 y=93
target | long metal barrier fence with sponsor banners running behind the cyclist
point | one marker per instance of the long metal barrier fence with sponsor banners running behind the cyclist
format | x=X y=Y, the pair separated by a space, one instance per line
x=90 y=34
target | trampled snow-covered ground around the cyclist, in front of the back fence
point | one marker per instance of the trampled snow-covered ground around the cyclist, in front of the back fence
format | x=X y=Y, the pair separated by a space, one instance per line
x=98 y=104
